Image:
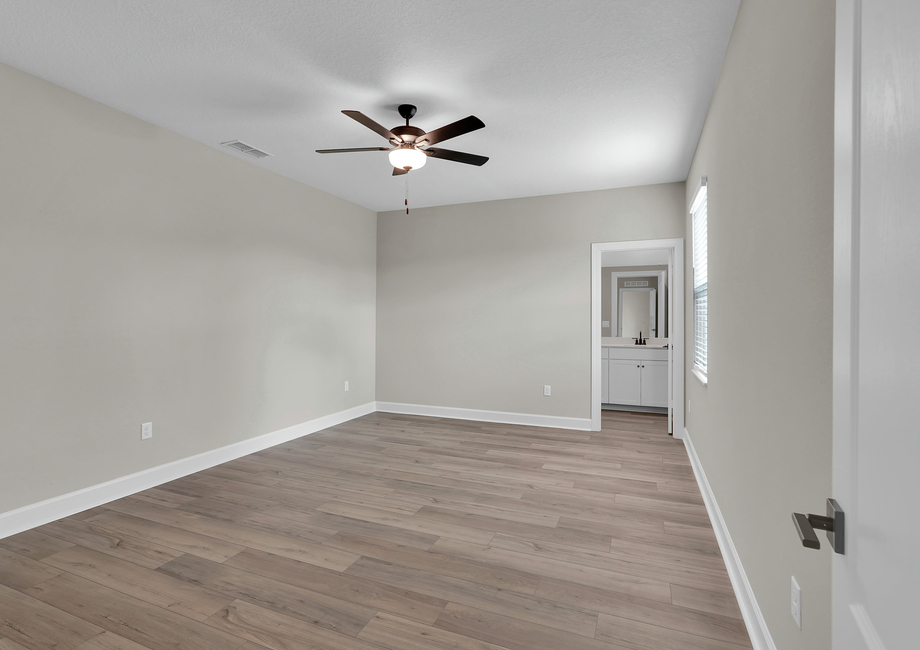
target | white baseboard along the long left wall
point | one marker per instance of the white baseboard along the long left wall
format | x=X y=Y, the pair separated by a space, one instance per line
x=37 y=514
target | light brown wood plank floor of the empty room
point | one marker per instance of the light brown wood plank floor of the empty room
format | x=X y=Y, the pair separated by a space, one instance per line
x=392 y=532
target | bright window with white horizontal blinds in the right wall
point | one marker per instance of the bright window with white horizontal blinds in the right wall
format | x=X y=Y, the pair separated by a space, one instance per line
x=699 y=208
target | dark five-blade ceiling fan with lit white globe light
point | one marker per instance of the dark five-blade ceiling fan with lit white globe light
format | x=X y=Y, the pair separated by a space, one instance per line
x=407 y=152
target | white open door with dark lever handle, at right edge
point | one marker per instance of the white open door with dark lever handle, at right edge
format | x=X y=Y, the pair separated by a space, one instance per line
x=876 y=583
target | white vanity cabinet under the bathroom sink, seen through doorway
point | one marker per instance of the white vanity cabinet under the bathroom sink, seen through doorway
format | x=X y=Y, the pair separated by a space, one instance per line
x=636 y=376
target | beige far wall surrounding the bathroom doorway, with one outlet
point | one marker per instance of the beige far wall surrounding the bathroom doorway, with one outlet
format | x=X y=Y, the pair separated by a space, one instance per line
x=481 y=304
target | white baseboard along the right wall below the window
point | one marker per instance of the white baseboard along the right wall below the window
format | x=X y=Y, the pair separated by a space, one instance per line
x=750 y=610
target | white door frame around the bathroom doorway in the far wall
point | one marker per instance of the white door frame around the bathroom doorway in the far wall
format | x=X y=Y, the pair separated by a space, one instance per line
x=675 y=248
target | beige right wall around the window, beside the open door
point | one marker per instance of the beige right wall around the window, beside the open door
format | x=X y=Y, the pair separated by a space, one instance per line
x=762 y=426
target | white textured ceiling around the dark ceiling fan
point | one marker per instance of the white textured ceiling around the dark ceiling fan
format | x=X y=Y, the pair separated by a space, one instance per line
x=575 y=94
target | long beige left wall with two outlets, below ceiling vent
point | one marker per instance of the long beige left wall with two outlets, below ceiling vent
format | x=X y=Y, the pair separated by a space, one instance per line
x=145 y=277
